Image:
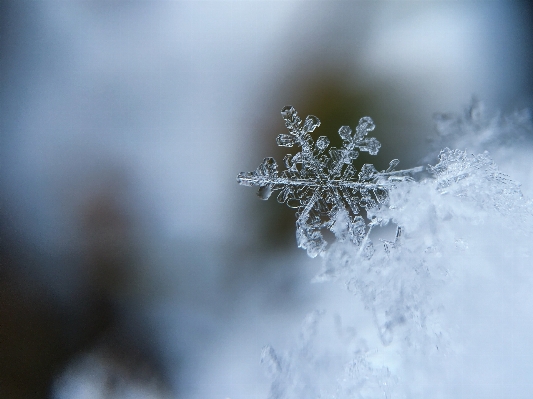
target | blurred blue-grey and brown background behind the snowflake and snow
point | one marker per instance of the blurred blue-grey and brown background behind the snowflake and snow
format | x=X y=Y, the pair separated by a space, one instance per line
x=131 y=262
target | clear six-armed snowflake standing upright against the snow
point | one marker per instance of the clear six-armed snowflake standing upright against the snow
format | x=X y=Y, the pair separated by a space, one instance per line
x=324 y=185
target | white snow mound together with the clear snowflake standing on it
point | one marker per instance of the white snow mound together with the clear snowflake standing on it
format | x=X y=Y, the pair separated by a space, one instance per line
x=462 y=249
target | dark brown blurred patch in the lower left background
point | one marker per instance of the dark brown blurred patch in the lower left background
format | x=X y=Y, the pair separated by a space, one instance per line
x=40 y=335
